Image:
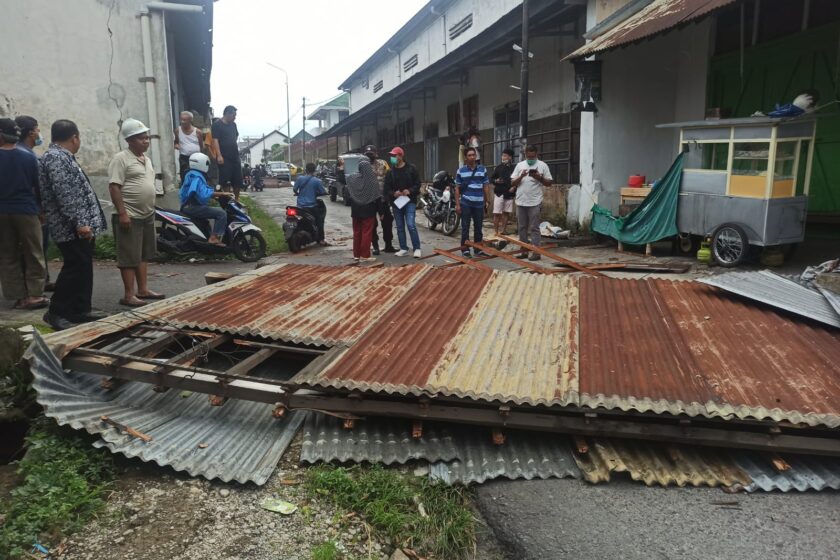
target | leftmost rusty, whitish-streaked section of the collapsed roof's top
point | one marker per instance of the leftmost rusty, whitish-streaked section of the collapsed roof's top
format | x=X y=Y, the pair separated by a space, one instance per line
x=302 y=304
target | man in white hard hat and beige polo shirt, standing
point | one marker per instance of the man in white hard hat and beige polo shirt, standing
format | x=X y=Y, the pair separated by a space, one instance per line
x=132 y=188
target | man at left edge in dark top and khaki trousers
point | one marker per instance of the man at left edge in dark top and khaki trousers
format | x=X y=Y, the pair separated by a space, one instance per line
x=20 y=225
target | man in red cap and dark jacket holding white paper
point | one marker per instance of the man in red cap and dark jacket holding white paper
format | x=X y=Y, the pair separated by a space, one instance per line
x=402 y=186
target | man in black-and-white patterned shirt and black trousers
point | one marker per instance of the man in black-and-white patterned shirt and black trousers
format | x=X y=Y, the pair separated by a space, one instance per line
x=75 y=218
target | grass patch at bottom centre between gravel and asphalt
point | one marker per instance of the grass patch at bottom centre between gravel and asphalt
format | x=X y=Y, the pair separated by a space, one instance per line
x=431 y=518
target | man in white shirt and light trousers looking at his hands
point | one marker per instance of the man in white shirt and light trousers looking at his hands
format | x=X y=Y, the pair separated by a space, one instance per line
x=528 y=179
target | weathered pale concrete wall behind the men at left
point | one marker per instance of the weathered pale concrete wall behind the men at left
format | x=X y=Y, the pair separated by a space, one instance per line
x=60 y=67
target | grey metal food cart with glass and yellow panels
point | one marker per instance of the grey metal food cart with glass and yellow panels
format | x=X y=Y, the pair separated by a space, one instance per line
x=745 y=182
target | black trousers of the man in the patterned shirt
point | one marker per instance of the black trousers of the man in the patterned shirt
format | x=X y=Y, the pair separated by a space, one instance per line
x=74 y=285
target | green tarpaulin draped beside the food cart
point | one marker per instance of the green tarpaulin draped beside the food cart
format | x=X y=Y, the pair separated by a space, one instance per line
x=654 y=219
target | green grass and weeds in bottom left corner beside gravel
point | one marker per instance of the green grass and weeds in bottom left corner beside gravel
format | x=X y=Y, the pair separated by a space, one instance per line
x=64 y=484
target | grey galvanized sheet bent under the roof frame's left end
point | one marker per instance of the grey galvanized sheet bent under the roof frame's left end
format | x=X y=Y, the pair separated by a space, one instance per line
x=243 y=440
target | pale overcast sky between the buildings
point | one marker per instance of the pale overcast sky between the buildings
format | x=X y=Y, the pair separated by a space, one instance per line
x=318 y=42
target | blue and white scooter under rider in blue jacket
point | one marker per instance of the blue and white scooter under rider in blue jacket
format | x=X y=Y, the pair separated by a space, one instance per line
x=180 y=234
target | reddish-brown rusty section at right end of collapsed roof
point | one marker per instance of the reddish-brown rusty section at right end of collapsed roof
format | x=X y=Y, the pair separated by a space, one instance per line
x=686 y=348
